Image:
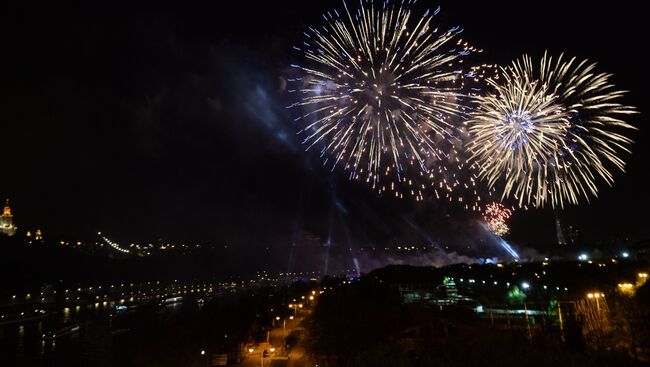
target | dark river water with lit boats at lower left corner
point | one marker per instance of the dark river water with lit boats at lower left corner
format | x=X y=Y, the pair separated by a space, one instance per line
x=107 y=336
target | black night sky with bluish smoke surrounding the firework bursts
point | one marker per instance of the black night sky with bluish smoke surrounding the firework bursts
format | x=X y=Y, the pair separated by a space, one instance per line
x=169 y=121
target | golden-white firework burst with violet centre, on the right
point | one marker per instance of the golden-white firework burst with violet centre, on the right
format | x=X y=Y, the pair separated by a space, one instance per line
x=547 y=135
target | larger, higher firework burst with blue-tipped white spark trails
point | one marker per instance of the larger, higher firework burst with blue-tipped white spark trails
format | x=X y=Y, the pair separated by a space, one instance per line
x=379 y=92
